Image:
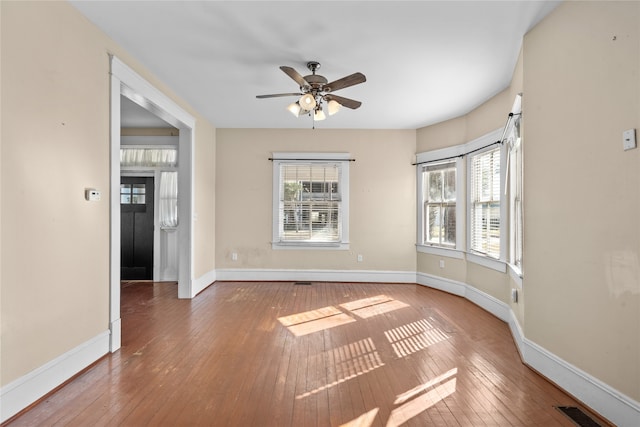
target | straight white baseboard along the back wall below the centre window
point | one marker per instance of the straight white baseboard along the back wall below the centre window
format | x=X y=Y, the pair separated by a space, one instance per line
x=318 y=275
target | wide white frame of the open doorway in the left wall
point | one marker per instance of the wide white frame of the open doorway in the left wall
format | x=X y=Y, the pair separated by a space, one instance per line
x=128 y=83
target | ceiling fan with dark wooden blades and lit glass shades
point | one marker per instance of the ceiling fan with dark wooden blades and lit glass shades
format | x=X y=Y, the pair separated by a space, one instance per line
x=316 y=90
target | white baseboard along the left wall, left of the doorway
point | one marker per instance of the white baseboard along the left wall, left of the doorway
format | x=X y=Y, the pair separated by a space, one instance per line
x=27 y=389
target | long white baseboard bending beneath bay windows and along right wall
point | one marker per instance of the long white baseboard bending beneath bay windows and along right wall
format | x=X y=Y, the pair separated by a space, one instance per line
x=606 y=401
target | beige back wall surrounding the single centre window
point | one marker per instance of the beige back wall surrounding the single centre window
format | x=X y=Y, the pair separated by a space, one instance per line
x=382 y=192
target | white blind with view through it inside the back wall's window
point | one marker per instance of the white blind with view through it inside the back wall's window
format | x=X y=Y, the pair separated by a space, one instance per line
x=310 y=202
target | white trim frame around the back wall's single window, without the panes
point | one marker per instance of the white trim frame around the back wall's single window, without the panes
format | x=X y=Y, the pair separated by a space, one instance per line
x=320 y=158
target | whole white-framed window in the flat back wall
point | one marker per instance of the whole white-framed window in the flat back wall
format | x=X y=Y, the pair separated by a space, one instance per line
x=310 y=200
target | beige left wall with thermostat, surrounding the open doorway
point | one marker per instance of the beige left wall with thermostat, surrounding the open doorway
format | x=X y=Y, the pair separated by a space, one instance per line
x=55 y=142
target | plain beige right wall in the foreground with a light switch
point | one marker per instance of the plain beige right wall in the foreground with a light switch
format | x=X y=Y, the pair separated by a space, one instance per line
x=582 y=191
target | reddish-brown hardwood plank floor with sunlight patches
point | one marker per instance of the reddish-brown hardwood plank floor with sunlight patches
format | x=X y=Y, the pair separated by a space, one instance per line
x=325 y=354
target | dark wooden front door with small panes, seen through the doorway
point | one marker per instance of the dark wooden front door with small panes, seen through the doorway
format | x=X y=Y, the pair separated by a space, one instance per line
x=136 y=228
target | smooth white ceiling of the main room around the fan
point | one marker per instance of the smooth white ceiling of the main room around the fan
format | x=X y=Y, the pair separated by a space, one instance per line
x=425 y=61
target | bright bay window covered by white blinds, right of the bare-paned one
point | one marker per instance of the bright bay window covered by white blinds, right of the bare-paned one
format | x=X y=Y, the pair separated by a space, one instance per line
x=484 y=203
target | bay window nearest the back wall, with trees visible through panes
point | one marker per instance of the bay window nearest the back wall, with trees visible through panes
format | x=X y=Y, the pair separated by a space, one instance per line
x=439 y=204
